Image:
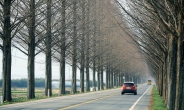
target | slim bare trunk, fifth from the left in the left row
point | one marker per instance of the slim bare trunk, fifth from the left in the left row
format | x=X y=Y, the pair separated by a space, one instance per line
x=74 y=55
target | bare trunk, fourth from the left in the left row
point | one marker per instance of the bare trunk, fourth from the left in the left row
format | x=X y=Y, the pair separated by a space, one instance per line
x=62 y=49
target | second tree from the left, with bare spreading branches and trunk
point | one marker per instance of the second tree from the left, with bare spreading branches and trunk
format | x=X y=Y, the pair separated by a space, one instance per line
x=28 y=39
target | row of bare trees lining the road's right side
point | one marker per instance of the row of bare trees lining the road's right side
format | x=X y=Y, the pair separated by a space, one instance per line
x=159 y=34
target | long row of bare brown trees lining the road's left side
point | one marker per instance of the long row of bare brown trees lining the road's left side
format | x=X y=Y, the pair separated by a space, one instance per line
x=84 y=34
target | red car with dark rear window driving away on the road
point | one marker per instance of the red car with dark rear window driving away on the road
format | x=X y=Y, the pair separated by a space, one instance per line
x=129 y=87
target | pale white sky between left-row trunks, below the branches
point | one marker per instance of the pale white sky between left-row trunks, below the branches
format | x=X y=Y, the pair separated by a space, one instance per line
x=19 y=67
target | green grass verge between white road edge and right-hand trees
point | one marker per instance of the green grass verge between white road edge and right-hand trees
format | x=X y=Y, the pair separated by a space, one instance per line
x=156 y=102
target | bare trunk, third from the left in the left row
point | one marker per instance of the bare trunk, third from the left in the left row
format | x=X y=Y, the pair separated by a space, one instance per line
x=48 y=73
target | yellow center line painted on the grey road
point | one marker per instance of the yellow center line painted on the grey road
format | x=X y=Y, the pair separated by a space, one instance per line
x=87 y=102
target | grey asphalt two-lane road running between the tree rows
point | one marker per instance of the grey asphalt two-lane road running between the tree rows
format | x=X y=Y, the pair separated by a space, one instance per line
x=100 y=100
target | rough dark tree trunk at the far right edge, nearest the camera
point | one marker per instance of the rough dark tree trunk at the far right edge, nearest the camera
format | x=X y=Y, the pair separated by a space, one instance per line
x=179 y=85
